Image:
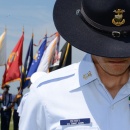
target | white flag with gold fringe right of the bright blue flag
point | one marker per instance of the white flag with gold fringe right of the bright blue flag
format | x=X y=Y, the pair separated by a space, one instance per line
x=48 y=54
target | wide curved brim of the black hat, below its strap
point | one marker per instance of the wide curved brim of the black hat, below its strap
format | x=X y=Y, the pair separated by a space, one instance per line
x=78 y=34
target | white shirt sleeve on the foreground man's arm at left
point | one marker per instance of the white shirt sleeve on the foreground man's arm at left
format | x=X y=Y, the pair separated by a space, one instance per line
x=33 y=117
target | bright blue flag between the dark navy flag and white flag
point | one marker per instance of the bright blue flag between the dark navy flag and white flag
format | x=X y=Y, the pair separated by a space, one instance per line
x=35 y=62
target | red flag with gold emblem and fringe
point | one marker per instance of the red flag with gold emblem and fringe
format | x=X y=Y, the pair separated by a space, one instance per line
x=12 y=71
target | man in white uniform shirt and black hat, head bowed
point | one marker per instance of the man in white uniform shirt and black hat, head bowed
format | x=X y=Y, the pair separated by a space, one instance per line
x=93 y=94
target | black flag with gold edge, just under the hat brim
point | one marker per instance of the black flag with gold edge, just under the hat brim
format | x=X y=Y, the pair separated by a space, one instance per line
x=64 y=57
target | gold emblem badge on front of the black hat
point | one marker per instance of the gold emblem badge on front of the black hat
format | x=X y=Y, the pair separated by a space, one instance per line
x=118 y=19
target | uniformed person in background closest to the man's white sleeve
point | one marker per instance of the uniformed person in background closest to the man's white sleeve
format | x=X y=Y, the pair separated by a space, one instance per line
x=16 y=102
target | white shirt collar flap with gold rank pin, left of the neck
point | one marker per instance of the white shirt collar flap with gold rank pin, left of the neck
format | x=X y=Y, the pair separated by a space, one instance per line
x=85 y=72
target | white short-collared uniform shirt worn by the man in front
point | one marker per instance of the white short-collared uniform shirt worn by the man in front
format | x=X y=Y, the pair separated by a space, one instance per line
x=67 y=96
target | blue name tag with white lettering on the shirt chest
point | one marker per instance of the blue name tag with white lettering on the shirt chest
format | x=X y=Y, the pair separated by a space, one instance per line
x=75 y=121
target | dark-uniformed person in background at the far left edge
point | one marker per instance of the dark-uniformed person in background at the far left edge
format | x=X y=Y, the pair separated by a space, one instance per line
x=6 y=108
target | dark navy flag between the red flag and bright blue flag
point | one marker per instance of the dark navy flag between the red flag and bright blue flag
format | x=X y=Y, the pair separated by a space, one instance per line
x=27 y=63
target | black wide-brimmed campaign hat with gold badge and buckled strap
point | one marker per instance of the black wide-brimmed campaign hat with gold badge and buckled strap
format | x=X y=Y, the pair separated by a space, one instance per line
x=98 y=27
